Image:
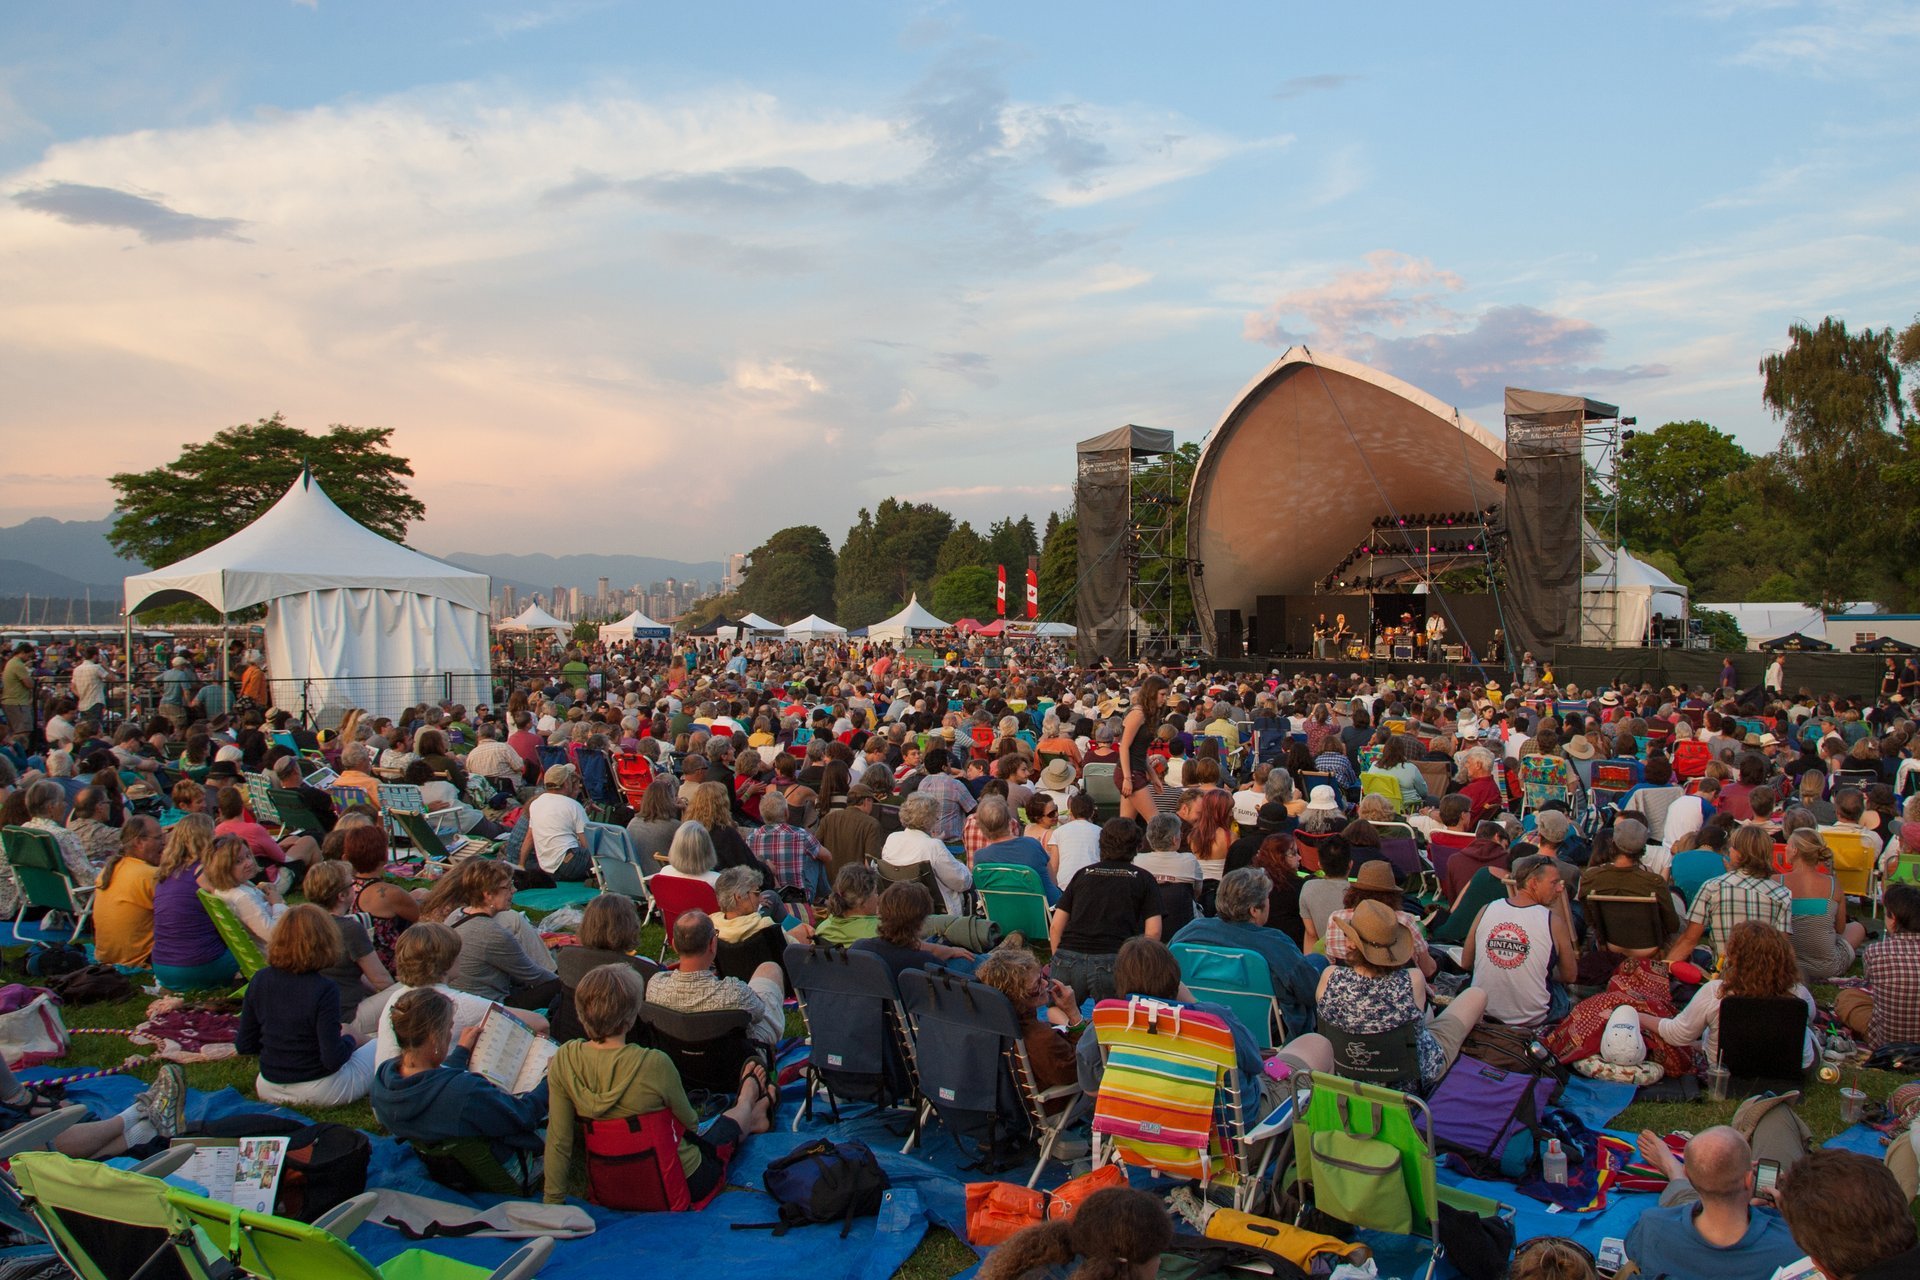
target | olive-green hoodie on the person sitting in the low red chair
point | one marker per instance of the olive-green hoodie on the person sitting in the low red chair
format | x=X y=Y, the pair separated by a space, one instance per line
x=598 y=1085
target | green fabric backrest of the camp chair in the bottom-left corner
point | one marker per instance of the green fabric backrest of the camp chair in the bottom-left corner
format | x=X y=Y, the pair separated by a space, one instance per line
x=105 y=1223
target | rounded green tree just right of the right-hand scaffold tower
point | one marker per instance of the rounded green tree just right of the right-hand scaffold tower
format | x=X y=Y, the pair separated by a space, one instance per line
x=1673 y=481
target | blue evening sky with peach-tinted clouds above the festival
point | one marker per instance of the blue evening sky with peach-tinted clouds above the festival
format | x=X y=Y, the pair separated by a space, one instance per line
x=665 y=279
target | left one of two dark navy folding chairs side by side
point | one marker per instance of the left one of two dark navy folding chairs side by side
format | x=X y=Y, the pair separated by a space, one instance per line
x=857 y=1033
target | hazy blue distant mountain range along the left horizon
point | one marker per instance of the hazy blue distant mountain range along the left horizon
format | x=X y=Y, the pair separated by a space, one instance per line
x=57 y=559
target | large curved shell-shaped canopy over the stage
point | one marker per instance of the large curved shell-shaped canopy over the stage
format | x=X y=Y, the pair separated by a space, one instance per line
x=1307 y=460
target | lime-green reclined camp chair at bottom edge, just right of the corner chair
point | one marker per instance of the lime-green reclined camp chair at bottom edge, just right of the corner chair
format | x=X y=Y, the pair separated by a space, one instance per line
x=262 y=1244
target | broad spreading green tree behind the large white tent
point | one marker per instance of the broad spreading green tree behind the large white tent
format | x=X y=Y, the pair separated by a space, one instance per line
x=224 y=485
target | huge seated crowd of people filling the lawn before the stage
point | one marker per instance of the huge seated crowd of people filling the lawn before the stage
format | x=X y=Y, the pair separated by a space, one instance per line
x=1401 y=855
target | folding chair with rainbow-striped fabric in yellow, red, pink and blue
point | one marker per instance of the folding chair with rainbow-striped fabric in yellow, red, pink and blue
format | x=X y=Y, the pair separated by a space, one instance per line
x=1170 y=1097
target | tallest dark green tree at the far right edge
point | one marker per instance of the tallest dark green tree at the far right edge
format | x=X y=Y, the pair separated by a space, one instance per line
x=1836 y=394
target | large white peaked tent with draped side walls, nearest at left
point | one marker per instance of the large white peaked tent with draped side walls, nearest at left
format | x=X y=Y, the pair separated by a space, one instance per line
x=352 y=619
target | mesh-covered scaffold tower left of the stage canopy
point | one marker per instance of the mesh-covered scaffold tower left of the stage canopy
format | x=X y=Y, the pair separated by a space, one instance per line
x=1126 y=513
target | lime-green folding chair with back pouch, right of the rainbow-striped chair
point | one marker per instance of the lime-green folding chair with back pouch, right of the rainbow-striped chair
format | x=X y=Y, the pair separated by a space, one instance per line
x=1337 y=1118
